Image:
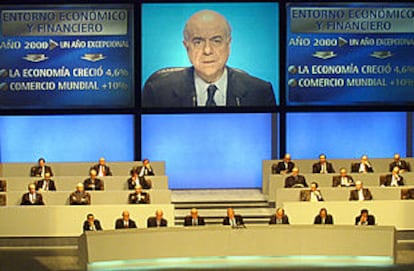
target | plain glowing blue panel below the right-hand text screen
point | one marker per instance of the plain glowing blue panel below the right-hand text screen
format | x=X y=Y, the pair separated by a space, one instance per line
x=346 y=135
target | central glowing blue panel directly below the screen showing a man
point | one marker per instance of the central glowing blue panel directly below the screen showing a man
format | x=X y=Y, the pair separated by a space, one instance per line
x=209 y=151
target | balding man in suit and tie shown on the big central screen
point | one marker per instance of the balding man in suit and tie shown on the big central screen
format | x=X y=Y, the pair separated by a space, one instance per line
x=208 y=82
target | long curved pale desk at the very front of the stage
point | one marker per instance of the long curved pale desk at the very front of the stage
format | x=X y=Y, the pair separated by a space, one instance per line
x=276 y=240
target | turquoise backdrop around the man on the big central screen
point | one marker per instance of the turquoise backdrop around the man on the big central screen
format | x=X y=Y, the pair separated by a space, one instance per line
x=254 y=46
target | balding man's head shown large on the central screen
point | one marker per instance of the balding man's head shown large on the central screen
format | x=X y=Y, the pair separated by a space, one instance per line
x=207 y=42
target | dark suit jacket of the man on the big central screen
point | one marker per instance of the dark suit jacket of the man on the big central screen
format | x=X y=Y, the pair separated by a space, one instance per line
x=175 y=87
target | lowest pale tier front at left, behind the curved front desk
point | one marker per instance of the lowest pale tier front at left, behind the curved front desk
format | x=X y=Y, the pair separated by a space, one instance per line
x=67 y=221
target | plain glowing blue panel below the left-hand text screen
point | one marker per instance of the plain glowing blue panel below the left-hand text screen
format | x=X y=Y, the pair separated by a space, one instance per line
x=67 y=138
